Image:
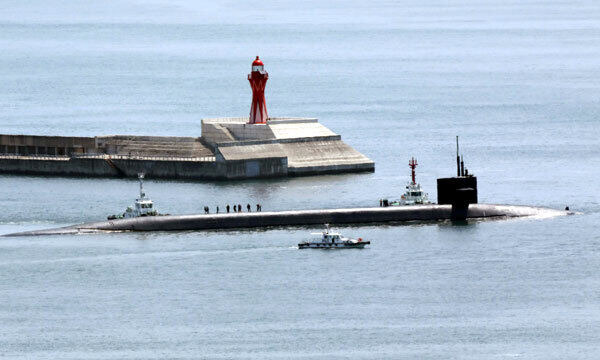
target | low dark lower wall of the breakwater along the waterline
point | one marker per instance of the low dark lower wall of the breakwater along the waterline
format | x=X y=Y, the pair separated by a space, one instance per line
x=205 y=168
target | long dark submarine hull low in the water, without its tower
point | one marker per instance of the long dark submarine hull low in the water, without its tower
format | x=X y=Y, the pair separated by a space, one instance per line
x=430 y=212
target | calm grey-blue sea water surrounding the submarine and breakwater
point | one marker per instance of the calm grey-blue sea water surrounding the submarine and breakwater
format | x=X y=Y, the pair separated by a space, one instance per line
x=518 y=80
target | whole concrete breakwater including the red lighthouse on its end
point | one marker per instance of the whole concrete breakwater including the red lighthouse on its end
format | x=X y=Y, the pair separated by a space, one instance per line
x=228 y=148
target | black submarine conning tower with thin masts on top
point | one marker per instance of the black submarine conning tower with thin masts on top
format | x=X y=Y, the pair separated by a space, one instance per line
x=459 y=191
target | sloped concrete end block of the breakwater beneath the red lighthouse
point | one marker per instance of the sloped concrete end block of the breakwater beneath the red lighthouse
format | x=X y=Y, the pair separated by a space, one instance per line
x=291 y=146
